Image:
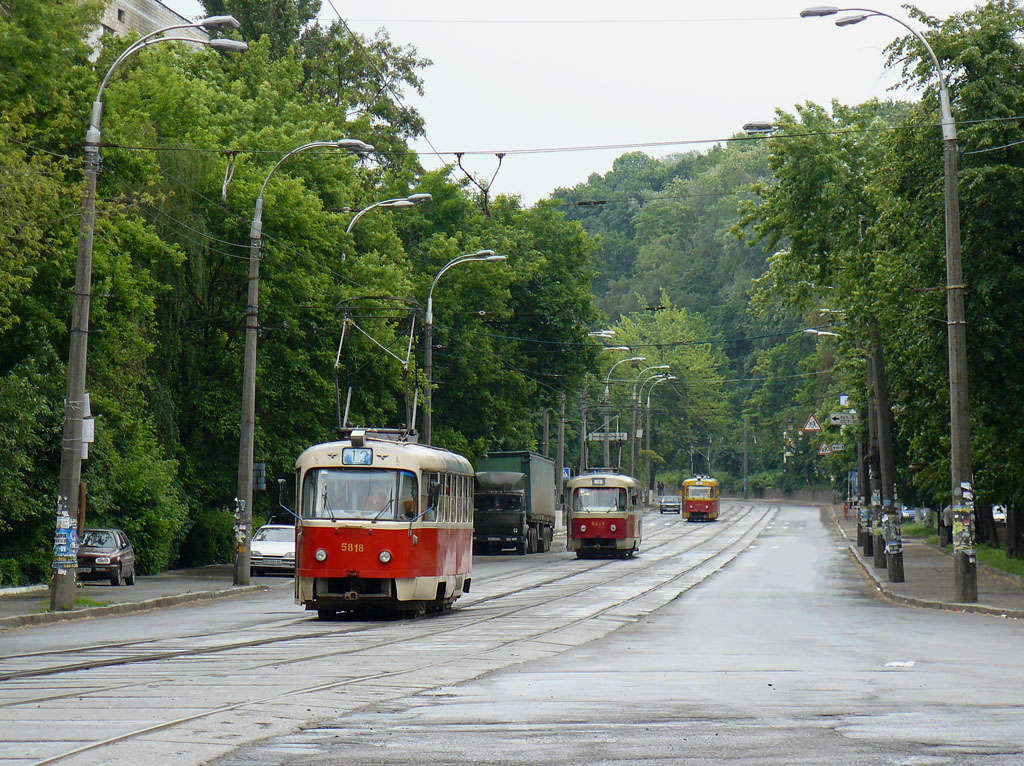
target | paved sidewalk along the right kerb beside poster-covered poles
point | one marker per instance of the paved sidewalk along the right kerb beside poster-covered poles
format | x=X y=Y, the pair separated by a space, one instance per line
x=929 y=577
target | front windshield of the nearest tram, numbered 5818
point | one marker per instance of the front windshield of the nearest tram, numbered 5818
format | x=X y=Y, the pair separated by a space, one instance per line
x=377 y=495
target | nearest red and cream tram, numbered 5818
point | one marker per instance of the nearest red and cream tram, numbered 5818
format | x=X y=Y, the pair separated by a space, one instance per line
x=382 y=525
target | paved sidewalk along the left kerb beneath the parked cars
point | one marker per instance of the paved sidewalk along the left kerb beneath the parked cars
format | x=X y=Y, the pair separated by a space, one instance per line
x=25 y=607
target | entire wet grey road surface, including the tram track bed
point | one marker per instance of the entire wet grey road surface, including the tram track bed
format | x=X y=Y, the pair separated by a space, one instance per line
x=752 y=641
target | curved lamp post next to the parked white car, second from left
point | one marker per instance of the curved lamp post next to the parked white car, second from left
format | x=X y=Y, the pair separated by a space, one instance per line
x=244 y=499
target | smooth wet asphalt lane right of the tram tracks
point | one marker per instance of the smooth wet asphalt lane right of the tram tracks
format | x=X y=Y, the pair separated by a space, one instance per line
x=784 y=658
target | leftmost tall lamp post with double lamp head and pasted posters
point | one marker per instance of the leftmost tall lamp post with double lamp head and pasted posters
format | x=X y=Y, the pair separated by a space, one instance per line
x=66 y=542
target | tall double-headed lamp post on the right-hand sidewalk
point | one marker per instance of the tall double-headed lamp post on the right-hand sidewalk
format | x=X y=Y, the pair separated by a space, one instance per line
x=965 y=565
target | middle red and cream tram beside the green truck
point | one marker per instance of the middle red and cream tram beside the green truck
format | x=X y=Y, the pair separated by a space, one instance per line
x=606 y=517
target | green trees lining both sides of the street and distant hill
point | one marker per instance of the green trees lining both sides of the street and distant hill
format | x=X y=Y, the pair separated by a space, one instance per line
x=711 y=266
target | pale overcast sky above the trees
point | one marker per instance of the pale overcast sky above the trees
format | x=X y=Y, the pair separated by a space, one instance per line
x=554 y=79
